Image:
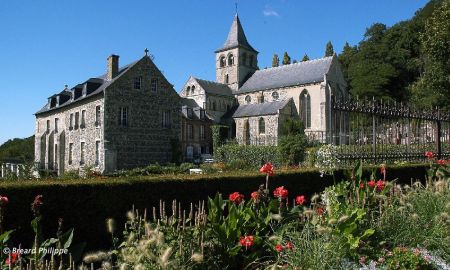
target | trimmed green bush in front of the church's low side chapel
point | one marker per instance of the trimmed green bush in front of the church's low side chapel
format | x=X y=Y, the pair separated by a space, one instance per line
x=248 y=156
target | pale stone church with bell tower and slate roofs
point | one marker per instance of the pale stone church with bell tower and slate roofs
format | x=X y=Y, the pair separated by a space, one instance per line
x=254 y=103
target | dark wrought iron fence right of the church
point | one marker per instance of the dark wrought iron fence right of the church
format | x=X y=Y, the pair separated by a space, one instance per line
x=380 y=132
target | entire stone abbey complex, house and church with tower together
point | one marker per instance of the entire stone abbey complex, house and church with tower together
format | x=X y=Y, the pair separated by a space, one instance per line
x=132 y=116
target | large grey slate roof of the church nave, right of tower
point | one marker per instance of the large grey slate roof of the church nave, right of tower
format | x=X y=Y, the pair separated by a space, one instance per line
x=312 y=71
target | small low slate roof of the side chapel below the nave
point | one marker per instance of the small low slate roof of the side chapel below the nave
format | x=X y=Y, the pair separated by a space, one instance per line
x=266 y=108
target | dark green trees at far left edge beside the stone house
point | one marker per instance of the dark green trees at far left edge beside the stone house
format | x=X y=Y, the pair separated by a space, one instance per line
x=18 y=150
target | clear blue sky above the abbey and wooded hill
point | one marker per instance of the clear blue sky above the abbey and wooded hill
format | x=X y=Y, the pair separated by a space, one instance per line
x=47 y=44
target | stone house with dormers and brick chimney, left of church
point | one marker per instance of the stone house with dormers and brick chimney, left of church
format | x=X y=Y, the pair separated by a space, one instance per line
x=126 y=118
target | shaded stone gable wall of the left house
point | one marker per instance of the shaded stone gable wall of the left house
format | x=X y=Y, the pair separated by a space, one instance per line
x=144 y=140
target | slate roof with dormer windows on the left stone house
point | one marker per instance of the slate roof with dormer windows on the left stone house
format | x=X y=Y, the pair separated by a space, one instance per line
x=101 y=80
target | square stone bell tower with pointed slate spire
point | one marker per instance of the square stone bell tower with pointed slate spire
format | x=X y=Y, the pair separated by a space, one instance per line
x=236 y=60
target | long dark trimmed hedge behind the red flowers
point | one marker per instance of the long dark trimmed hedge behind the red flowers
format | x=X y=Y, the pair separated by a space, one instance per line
x=86 y=204
